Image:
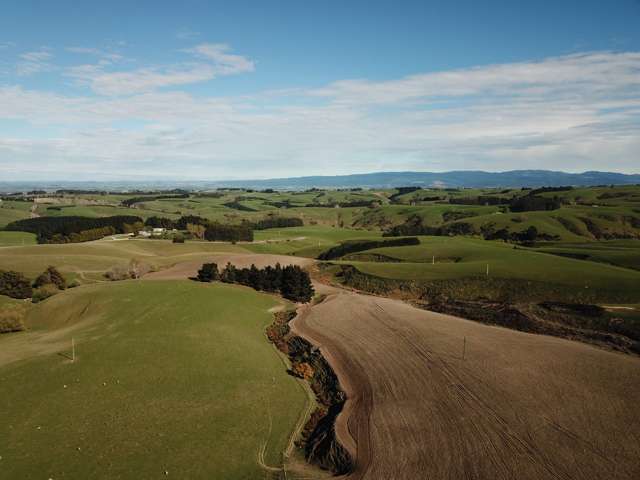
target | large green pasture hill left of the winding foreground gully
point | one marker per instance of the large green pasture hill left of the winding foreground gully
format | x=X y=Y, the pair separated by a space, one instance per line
x=192 y=386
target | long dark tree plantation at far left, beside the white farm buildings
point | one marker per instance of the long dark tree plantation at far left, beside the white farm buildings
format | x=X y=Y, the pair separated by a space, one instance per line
x=74 y=229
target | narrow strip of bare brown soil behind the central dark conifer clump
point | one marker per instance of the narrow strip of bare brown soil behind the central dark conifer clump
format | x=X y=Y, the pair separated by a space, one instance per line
x=241 y=260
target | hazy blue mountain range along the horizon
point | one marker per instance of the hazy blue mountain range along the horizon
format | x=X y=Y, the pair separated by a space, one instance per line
x=459 y=179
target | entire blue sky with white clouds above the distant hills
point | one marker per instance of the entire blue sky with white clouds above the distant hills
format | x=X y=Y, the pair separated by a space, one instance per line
x=206 y=90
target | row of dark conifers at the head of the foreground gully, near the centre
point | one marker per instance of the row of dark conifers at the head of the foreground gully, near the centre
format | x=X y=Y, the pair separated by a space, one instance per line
x=292 y=282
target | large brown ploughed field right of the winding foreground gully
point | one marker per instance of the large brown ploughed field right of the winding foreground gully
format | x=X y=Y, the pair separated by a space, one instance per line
x=517 y=406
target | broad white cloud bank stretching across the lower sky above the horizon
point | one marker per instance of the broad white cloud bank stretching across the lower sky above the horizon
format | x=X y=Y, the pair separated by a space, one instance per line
x=578 y=112
